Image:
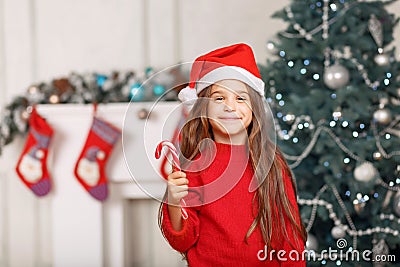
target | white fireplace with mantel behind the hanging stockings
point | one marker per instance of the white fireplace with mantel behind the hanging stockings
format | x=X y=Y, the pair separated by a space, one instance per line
x=122 y=231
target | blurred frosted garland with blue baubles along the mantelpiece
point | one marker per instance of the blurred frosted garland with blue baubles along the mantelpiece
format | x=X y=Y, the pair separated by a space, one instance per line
x=117 y=86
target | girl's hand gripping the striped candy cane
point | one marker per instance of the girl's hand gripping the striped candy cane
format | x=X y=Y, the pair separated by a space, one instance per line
x=177 y=187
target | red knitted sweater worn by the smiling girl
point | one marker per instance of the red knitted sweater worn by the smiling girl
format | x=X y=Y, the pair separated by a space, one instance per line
x=214 y=233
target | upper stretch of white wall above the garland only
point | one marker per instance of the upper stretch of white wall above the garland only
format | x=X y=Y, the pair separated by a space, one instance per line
x=43 y=39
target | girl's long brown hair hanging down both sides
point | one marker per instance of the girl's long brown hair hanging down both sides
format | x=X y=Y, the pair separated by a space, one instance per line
x=274 y=205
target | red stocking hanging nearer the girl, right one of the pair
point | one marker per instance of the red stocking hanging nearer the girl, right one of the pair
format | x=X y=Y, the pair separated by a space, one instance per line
x=90 y=167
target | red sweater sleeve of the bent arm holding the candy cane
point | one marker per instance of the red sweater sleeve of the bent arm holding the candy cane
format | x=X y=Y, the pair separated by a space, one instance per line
x=184 y=239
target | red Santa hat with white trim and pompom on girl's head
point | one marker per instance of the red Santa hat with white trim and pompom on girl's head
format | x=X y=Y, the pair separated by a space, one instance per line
x=232 y=62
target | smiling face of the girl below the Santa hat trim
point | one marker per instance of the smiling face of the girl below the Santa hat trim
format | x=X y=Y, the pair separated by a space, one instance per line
x=229 y=111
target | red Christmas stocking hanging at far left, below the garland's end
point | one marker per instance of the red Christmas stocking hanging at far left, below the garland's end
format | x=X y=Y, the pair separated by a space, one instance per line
x=31 y=166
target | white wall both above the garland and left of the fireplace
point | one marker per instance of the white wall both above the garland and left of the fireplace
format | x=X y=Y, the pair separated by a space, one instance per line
x=44 y=39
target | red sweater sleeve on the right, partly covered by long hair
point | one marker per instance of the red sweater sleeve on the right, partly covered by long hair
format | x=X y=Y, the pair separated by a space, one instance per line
x=294 y=258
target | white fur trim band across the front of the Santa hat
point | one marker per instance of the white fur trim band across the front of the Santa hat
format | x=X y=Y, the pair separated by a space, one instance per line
x=231 y=72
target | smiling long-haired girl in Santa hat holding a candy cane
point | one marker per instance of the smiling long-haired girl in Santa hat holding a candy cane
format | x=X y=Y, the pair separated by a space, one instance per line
x=237 y=189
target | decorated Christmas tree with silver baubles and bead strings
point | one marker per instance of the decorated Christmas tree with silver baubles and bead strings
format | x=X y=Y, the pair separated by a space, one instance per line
x=333 y=85
